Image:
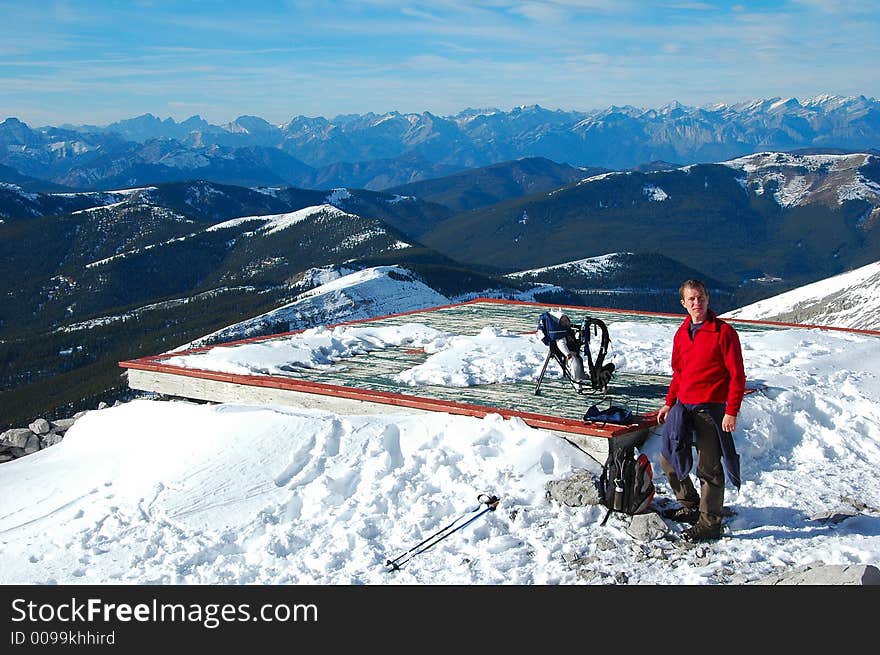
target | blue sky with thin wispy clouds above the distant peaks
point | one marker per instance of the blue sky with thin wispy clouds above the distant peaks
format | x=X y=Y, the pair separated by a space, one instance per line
x=97 y=61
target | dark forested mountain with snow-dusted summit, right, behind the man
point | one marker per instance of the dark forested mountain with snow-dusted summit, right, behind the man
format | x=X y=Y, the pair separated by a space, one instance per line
x=799 y=217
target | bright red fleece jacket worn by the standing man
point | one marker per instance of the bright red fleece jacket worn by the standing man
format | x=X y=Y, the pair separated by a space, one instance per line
x=708 y=369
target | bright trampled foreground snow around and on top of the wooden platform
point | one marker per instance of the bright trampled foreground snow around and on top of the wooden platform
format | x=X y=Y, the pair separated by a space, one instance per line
x=171 y=492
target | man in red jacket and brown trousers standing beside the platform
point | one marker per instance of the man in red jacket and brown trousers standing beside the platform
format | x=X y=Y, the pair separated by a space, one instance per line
x=704 y=397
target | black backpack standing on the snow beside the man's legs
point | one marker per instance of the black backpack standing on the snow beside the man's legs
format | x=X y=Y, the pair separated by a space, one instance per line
x=627 y=482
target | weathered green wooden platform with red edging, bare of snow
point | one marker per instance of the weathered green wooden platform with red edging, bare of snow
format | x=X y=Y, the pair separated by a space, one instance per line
x=365 y=384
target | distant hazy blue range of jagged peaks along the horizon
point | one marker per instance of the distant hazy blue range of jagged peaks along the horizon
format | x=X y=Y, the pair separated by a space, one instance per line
x=377 y=152
